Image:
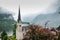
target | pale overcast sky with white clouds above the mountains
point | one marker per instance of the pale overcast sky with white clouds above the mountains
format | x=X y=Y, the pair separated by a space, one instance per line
x=30 y=7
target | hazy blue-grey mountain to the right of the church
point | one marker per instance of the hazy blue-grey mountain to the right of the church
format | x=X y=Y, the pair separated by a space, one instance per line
x=53 y=18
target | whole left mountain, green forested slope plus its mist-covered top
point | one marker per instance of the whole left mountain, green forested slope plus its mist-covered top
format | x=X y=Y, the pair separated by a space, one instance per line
x=6 y=20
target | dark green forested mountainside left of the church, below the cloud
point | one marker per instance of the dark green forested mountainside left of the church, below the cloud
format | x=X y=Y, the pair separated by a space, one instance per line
x=6 y=22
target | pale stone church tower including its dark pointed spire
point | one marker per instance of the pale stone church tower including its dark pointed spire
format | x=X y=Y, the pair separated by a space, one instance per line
x=19 y=32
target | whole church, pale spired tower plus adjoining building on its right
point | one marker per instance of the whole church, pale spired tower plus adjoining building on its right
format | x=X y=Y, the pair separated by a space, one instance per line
x=20 y=32
